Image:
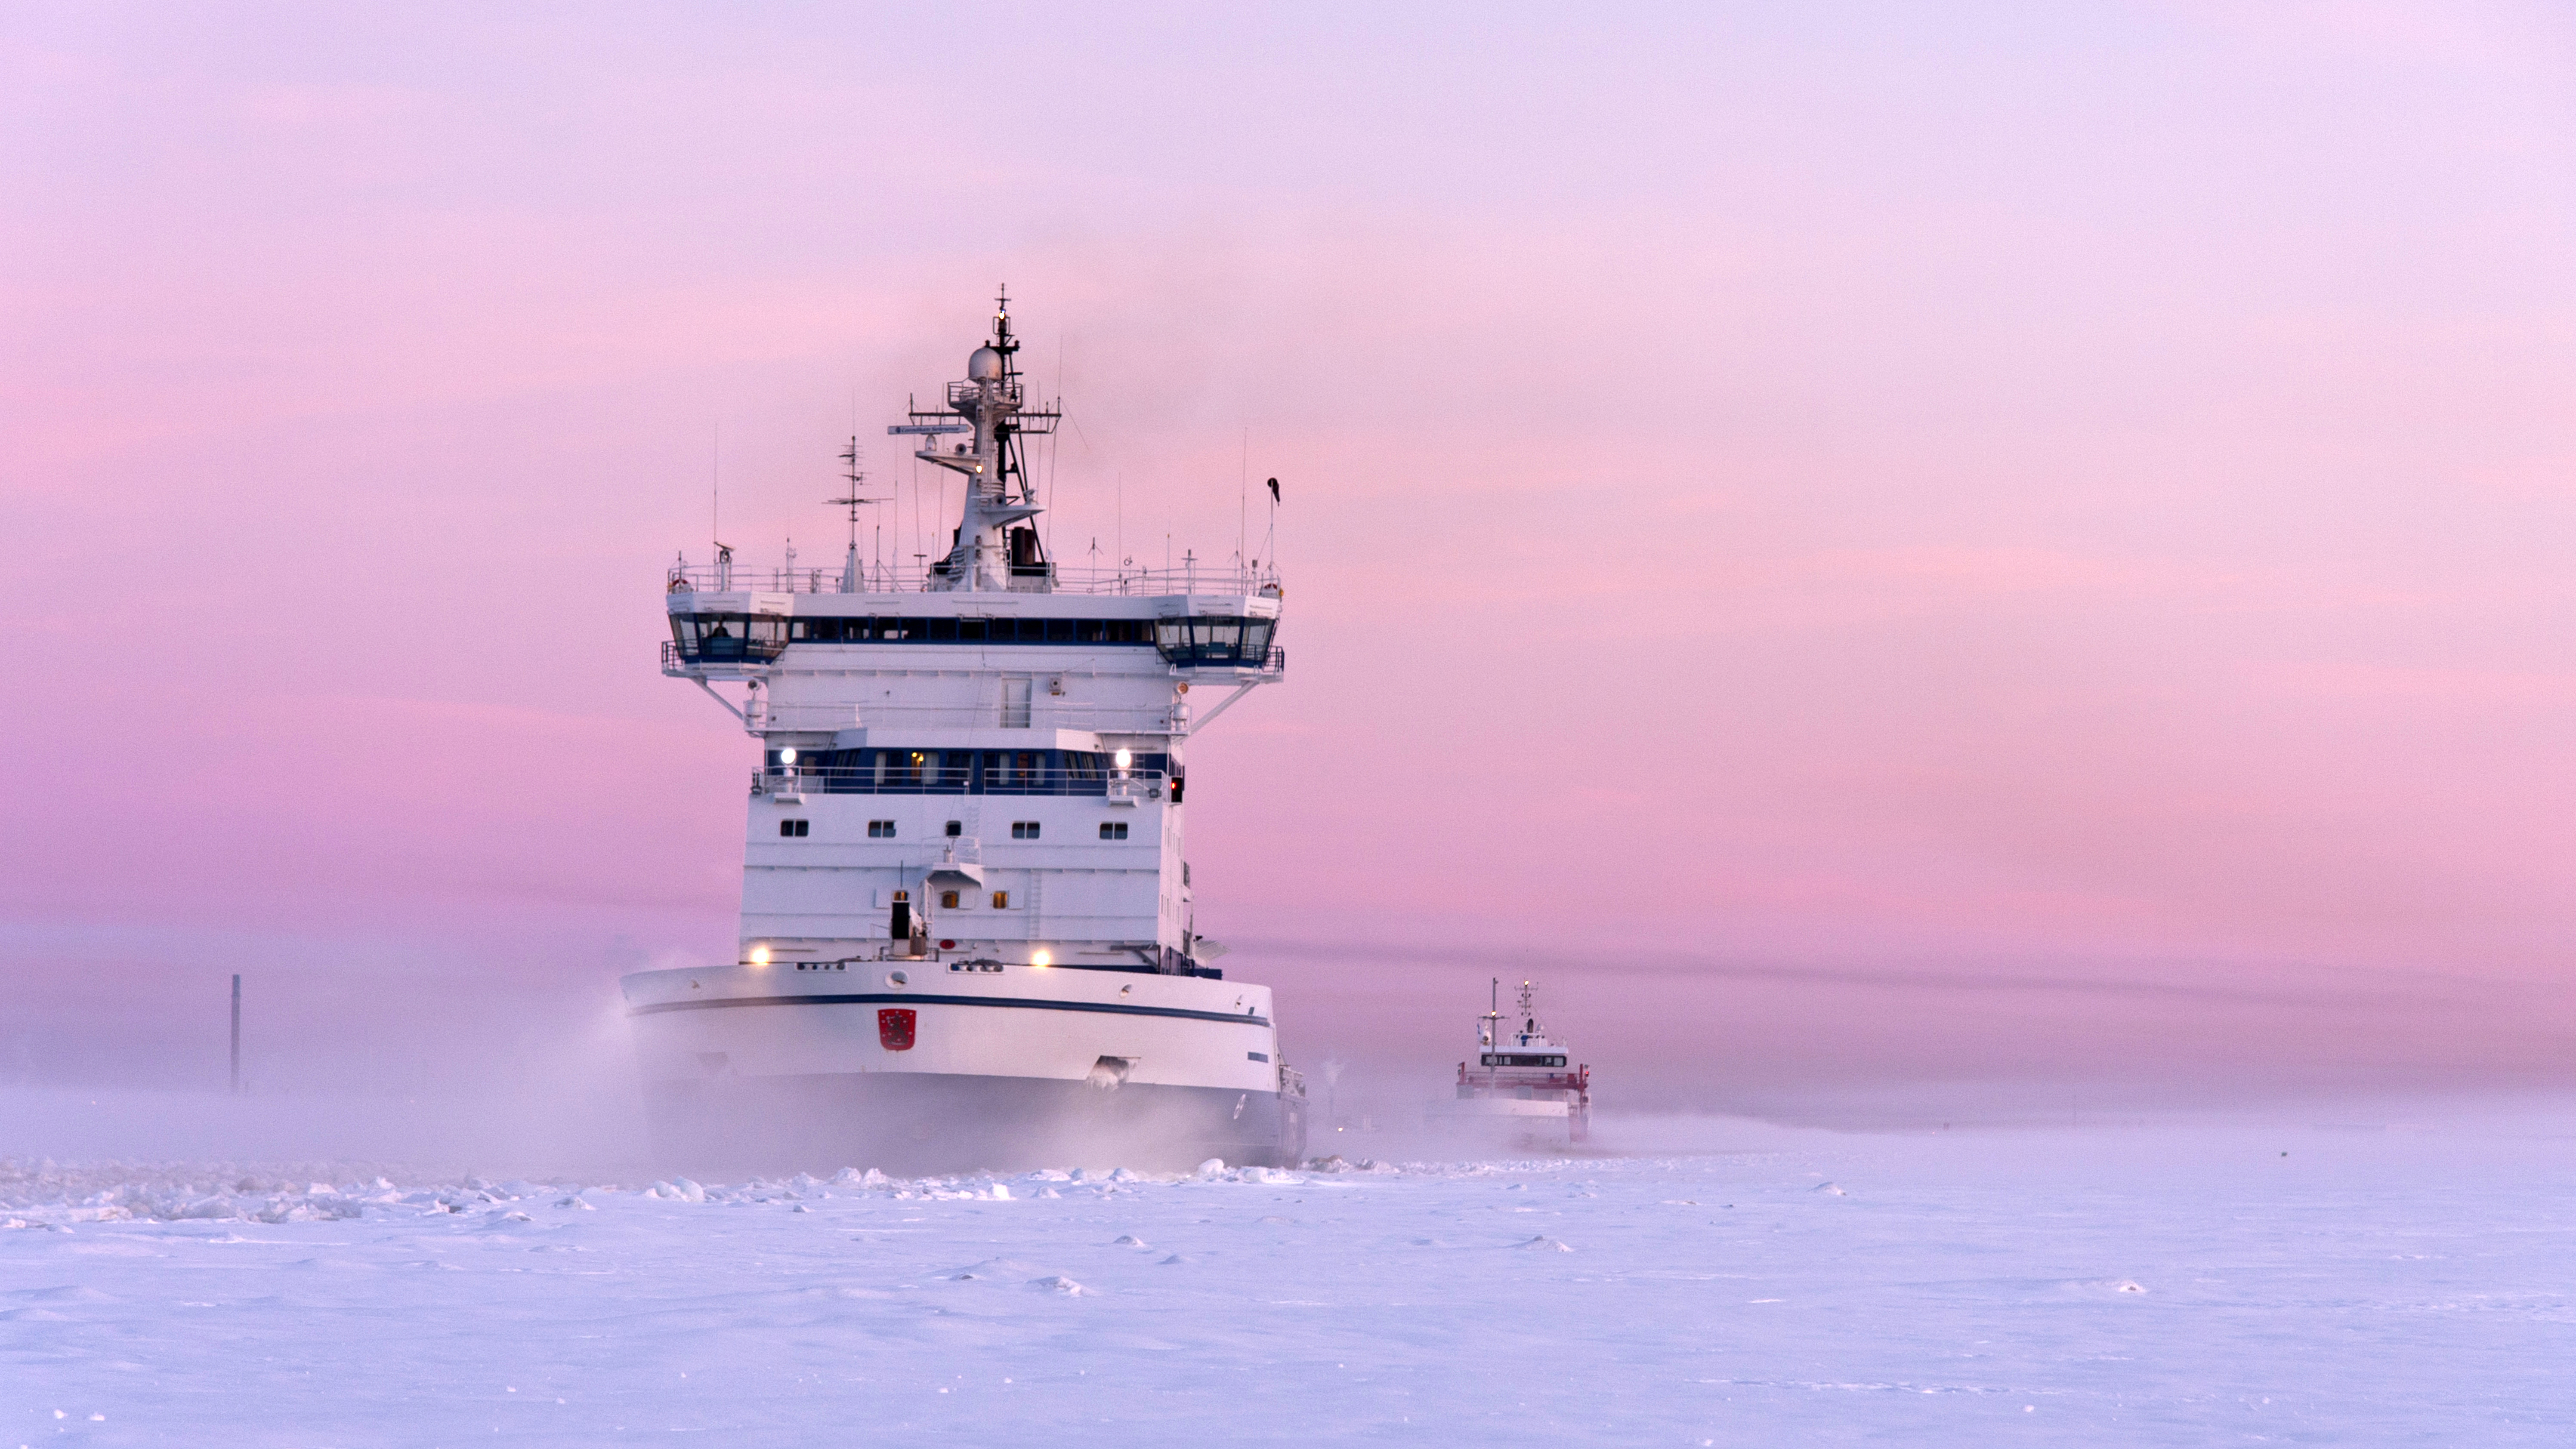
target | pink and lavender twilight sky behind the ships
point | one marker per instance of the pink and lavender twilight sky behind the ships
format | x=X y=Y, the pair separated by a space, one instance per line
x=1861 y=544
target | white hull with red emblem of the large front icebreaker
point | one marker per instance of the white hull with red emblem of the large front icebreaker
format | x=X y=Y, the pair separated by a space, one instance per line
x=954 y=1067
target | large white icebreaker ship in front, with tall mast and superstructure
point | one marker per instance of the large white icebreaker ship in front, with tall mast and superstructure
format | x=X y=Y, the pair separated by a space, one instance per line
x=967 y=920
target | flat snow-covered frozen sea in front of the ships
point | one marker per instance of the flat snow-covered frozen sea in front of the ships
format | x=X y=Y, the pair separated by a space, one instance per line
x=1714 y=1283
